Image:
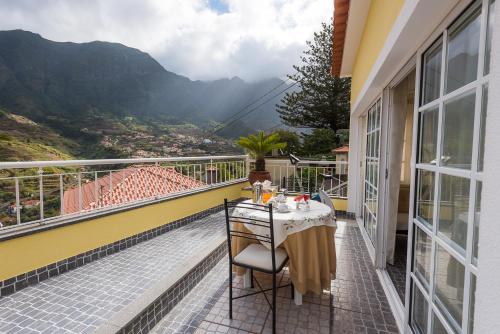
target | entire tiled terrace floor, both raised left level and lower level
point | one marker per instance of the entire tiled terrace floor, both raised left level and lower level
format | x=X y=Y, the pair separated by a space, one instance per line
x=80 y=300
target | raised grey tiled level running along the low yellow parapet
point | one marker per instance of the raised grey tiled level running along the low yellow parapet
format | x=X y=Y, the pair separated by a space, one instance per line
x=81 y=300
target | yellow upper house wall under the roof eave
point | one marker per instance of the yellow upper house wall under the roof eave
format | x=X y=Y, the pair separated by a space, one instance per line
x=379 y=21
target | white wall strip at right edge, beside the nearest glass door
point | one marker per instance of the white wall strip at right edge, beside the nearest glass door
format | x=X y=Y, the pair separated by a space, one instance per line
x=487 y=314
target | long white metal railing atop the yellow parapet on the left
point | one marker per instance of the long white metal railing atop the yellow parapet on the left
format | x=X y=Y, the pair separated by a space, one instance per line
x=47 y=191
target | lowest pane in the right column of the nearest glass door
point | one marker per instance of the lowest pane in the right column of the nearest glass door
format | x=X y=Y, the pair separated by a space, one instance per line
x=449 y=281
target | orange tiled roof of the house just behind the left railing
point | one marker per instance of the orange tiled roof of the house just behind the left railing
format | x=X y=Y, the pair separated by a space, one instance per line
x=127 y=185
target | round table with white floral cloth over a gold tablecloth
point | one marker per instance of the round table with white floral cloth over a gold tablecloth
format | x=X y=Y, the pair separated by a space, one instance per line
x=307 y=235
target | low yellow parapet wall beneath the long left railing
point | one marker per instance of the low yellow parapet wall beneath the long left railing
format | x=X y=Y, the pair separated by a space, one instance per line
x=21 y=255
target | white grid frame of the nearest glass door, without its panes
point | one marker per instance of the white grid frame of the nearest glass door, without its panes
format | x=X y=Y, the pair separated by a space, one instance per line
x=473 y=174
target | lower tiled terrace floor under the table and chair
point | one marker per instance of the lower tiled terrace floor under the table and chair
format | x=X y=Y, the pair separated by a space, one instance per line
x=355 y=304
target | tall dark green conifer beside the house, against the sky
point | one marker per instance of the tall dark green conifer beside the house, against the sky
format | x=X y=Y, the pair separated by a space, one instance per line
x=322 y=100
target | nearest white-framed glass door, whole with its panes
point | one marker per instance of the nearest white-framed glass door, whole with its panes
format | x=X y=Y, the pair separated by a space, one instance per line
x=448 y=174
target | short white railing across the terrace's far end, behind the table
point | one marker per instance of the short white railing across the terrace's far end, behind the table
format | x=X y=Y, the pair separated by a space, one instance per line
x=311 y=174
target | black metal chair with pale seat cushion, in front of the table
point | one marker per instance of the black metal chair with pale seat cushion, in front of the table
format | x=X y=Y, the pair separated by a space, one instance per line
x=255 y=256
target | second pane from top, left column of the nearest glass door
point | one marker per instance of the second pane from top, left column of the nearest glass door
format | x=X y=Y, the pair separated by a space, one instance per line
x=428 y=132
